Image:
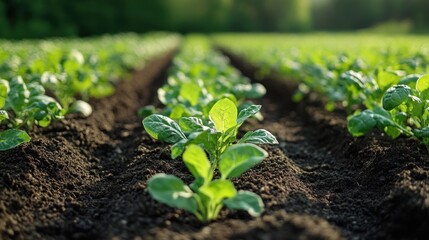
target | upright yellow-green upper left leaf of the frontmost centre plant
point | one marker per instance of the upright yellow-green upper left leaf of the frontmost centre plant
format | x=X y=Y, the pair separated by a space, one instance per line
x=197 y=162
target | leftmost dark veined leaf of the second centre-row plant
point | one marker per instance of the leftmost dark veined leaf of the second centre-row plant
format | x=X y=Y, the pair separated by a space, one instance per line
x=163 y=128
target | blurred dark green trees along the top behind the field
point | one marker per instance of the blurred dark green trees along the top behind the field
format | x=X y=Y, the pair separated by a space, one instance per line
x=47 y=18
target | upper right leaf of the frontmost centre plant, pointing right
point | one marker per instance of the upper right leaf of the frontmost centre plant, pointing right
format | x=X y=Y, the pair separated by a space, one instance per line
x=239 y=158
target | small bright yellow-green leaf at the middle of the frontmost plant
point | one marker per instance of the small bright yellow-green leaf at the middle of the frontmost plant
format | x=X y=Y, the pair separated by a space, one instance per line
x=218 y=190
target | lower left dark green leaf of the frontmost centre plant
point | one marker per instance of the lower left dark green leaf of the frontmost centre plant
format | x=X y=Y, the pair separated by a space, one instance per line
x=172 y=191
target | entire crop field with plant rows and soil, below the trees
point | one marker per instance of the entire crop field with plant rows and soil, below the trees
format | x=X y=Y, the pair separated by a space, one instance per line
x=240 y=136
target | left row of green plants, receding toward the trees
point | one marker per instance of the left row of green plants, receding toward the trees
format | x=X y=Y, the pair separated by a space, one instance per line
x=43 y=80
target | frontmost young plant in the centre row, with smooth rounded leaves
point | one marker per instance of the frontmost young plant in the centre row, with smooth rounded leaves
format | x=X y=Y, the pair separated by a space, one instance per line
x=205 y=197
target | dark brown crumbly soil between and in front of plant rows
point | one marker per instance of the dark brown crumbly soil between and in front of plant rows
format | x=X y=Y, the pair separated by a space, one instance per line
x=85 y=178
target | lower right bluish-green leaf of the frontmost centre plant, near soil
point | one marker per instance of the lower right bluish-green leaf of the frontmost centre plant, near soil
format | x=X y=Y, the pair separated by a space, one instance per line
x=248 y=201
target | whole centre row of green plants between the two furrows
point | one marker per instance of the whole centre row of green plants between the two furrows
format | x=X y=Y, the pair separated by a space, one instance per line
x=205 y=104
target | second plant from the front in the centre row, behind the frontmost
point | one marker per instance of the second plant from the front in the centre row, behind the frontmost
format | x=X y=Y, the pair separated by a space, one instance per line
x=214 y=134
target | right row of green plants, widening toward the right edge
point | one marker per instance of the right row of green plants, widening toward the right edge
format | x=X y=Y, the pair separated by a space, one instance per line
x=380 y=81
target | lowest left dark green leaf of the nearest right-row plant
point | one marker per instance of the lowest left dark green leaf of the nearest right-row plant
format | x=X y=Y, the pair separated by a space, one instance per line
x=361 y=123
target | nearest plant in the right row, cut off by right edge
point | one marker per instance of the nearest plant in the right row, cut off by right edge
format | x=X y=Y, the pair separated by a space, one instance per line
x=405 y=111
